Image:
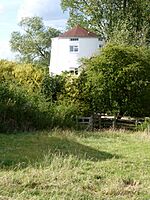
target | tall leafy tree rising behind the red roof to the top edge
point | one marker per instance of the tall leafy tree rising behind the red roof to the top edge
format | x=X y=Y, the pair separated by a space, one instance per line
x=103 y=16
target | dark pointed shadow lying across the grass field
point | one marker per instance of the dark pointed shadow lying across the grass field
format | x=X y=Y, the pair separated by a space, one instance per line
x=32 y=149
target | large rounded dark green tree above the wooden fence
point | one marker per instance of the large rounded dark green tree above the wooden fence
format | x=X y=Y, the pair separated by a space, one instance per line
x=117 y=81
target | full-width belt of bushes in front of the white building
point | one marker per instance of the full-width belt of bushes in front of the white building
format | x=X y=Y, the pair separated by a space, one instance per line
x=115 y=82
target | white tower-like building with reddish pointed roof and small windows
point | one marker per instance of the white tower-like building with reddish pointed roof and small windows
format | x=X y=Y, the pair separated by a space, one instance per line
x=67 y=49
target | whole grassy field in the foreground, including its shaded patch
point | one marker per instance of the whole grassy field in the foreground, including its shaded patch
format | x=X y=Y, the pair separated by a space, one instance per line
x=75 y=166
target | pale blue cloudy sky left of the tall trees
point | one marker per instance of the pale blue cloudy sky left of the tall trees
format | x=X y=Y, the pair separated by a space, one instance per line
x=11 y=12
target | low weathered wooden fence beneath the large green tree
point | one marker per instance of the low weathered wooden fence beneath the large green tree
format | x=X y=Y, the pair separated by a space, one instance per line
x=104 y=122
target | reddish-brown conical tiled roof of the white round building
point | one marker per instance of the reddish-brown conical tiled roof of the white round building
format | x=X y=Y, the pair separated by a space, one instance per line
x=78 y=31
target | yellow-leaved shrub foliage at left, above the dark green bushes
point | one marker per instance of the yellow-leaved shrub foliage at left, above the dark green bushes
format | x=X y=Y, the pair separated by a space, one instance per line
x=25 y=75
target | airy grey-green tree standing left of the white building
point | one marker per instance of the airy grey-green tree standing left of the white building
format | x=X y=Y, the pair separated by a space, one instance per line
x=33 y=45
